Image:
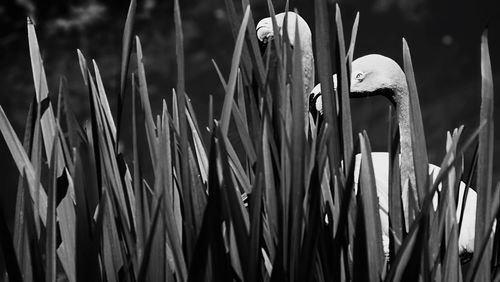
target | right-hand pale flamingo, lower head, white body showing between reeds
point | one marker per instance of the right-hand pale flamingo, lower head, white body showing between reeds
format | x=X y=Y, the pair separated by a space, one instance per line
x=379 y=75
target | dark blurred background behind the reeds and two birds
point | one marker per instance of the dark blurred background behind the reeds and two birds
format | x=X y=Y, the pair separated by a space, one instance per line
x=444 y=37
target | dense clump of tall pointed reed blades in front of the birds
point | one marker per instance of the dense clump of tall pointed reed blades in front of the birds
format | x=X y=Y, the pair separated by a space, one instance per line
x=282 y=207
